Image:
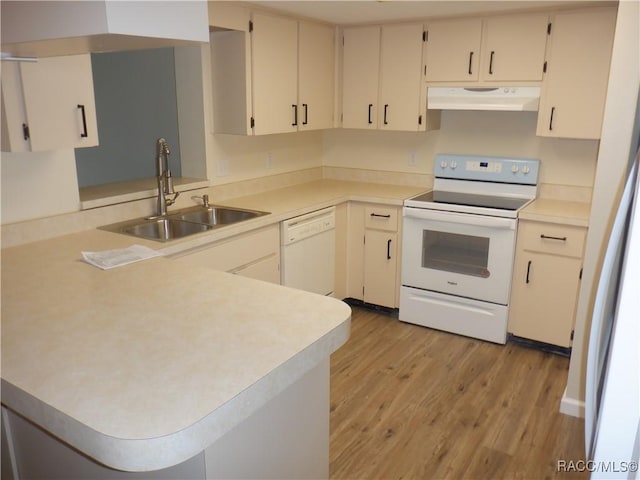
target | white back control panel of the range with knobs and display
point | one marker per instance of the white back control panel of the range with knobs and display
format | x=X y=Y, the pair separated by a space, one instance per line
x=523 y=171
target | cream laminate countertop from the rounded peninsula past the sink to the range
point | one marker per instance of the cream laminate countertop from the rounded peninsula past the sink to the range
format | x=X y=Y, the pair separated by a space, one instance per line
x=145 y=365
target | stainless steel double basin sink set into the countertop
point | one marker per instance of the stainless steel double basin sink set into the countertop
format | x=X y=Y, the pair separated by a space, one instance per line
x=182 y=223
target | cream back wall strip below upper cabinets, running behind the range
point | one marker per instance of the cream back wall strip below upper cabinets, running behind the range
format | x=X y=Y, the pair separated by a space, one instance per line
x=564 y=162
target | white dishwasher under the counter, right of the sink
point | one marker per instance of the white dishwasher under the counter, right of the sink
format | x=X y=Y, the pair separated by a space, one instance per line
x=308 y=251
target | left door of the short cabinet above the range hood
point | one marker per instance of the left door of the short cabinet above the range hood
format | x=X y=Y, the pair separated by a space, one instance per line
x=452 y=50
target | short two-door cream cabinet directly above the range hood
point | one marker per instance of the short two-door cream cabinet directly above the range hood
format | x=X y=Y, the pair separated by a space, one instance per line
x=508 y=48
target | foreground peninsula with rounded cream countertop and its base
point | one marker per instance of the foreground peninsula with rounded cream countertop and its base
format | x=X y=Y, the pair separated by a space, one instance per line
x=145 y=366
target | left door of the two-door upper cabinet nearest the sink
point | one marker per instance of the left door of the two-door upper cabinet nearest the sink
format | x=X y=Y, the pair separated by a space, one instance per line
x=274 y=43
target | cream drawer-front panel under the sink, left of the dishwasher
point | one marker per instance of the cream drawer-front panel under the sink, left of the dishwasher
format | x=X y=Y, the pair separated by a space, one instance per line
x=235 y=252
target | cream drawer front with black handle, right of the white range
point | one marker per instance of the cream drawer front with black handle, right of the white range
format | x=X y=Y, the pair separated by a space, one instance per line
x=551 y=238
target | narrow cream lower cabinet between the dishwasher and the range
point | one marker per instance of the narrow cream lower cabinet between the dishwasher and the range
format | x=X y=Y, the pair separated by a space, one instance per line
x=373 y=254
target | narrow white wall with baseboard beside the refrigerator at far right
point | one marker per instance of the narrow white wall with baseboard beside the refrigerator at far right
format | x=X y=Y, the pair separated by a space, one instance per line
x=615 y=149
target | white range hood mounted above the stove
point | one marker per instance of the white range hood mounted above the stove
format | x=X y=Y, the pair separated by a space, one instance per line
x=491 y=98
